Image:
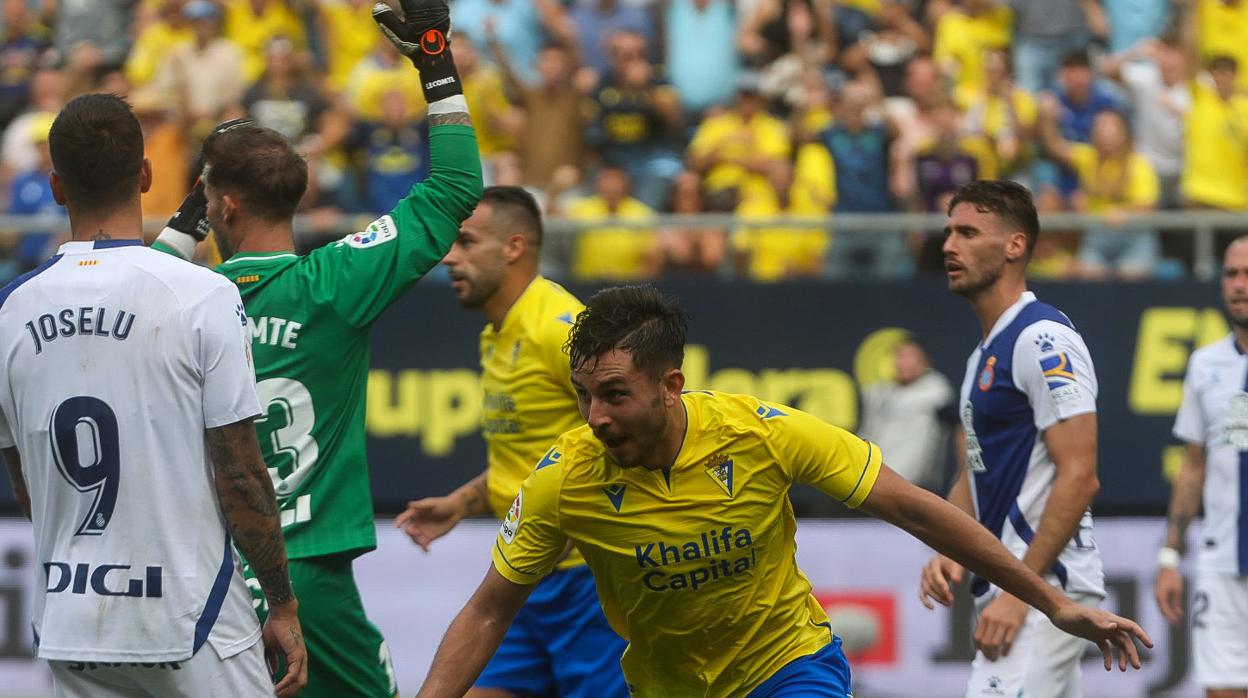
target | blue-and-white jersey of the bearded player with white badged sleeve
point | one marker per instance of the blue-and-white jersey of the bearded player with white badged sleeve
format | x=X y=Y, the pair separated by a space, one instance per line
x=1033 y=371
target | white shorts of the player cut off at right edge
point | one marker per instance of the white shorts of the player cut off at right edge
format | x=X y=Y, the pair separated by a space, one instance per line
x=1220 y=640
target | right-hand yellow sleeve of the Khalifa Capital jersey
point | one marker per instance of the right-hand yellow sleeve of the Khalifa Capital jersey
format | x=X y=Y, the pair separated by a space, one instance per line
x=814 y=453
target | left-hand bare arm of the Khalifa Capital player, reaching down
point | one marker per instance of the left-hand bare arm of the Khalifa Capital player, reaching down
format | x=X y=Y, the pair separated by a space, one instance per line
x=474 y=636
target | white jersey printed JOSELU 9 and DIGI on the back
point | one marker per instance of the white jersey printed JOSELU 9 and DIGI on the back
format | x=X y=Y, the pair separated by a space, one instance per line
x=119 y=358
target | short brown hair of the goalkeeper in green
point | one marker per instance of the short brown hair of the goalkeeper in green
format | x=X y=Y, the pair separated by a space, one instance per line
x=260 y=167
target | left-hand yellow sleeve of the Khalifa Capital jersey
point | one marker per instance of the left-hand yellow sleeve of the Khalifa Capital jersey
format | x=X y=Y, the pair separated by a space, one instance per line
x=530 y=541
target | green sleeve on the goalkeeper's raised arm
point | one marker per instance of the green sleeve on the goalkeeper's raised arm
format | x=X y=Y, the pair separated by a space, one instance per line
x=363 y=274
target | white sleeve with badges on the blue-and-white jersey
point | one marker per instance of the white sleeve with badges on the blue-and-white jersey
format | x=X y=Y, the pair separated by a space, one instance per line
x=1054 y=368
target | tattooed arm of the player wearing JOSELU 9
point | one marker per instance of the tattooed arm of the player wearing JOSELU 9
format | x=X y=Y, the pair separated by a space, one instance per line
x=250 y=509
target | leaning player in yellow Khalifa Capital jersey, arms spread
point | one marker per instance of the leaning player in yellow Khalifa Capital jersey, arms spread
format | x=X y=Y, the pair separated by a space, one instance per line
x=678 y=503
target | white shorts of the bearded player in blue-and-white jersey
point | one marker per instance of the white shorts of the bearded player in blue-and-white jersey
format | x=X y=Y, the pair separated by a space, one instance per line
x=1044 y=662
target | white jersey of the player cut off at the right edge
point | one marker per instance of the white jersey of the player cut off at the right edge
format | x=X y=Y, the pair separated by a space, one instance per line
x=1215 y=414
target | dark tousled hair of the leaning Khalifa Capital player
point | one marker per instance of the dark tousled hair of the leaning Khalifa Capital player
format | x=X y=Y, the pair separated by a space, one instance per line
x=636 y=319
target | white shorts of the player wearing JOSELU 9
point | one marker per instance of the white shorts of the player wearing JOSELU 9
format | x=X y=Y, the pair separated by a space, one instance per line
x=204 y=676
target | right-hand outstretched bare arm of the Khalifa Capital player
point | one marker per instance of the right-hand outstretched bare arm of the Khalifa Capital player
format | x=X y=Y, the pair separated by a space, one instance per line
x=960 y=538
